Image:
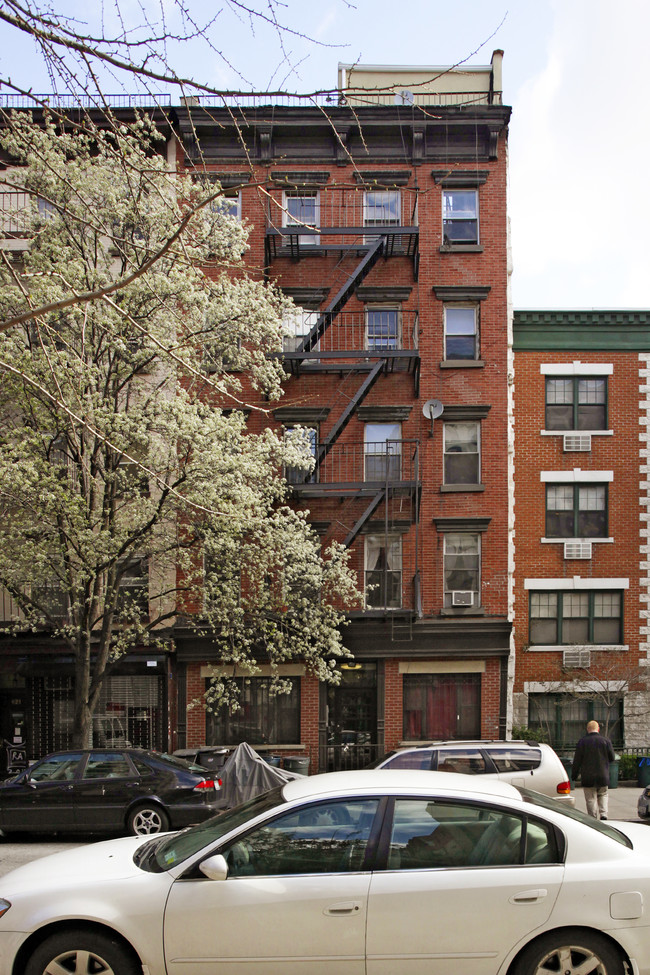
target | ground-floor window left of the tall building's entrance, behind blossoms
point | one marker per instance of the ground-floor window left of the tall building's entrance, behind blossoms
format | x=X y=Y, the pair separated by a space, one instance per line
x=263 y=717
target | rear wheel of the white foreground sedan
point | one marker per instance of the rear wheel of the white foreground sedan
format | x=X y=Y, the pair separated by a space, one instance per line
x=570 y=952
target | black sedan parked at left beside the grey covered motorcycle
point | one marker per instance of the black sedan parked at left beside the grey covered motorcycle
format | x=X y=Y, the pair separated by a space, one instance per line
x=103 y=790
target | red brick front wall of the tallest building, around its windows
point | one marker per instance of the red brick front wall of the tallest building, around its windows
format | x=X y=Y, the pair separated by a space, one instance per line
x=421 y=640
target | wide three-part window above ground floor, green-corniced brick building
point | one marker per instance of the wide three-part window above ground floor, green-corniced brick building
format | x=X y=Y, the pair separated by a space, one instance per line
x=567 y=618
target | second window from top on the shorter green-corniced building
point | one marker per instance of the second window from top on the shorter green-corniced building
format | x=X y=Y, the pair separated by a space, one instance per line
x=576 y=510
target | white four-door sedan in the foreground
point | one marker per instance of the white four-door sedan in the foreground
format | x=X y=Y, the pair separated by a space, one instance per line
x=353 y=873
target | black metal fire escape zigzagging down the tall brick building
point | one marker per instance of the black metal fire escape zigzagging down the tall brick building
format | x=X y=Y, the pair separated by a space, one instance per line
x=384 y=484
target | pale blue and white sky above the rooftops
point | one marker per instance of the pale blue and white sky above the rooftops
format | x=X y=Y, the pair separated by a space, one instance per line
x=575 y=73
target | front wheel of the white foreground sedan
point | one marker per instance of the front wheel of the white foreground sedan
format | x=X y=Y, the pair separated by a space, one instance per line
x=82 y=953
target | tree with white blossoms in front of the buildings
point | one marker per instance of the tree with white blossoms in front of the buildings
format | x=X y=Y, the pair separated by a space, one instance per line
x=130 y=488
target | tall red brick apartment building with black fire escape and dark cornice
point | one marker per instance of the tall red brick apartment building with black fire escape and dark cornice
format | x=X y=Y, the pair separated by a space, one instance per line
x=384 y=218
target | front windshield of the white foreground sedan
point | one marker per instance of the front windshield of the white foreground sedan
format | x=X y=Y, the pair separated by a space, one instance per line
x=162 y=854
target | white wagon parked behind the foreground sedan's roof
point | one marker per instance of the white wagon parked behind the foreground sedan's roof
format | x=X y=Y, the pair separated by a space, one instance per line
x=521 y=763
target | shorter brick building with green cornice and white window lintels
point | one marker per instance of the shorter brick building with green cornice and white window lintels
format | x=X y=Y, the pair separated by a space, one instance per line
x=581 y=586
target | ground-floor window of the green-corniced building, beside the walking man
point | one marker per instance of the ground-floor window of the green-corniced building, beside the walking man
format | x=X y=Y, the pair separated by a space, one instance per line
x=563 y=717
